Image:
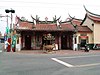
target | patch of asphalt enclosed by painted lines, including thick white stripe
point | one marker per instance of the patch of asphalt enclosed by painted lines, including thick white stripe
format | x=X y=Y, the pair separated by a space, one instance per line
x=79 y=61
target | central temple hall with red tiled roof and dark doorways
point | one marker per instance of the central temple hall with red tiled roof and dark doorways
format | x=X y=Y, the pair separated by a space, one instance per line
x=32 y=34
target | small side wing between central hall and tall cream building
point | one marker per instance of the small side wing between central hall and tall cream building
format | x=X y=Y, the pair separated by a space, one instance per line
x=82 y=34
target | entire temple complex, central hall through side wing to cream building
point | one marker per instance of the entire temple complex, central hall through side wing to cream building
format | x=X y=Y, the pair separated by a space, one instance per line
x=72 y=34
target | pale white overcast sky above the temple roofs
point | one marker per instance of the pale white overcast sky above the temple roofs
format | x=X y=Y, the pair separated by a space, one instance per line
x=46 y=8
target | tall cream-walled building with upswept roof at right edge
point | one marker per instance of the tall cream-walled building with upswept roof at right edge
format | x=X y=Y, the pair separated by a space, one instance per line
x=92 y=21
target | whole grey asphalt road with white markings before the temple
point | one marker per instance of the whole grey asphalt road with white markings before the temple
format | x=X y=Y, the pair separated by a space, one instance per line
x=49 y=64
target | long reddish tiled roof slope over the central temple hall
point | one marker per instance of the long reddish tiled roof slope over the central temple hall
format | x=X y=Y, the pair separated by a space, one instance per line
x=45 y=27
